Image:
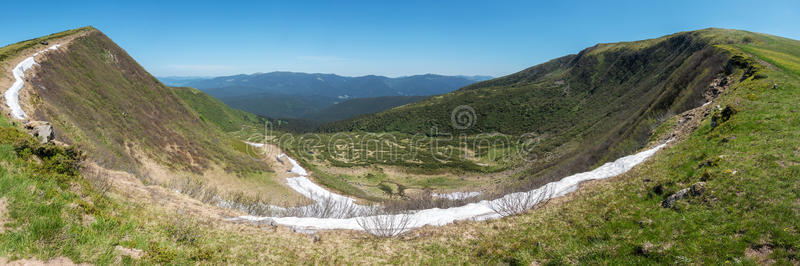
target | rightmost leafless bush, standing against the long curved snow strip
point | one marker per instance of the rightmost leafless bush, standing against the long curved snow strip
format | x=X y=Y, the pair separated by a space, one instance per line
x=520 y=202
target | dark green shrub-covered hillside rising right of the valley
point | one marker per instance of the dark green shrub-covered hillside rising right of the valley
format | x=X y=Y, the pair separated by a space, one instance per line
x=584 y=109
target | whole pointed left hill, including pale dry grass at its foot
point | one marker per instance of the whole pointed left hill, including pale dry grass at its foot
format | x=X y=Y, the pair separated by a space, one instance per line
x=101 y=101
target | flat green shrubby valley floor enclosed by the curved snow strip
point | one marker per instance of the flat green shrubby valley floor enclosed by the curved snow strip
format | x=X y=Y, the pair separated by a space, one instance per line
x=411 y=153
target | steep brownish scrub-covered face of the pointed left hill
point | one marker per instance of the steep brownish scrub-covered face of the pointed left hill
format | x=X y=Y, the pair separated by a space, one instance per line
x=101 y=99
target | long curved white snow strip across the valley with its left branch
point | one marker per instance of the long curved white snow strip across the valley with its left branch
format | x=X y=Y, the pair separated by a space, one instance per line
x=486 y=209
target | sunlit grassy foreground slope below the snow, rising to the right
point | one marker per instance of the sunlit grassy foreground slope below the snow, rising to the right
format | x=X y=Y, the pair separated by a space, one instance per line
x=615 y=221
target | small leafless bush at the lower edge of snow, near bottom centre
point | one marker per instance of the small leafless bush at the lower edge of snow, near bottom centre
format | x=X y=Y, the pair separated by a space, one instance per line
x=385 y=224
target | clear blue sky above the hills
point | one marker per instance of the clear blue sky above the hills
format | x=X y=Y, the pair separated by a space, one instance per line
x=392 y=38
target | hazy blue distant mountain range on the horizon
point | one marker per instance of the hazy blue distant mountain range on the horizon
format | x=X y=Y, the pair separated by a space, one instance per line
x=305 y=95
